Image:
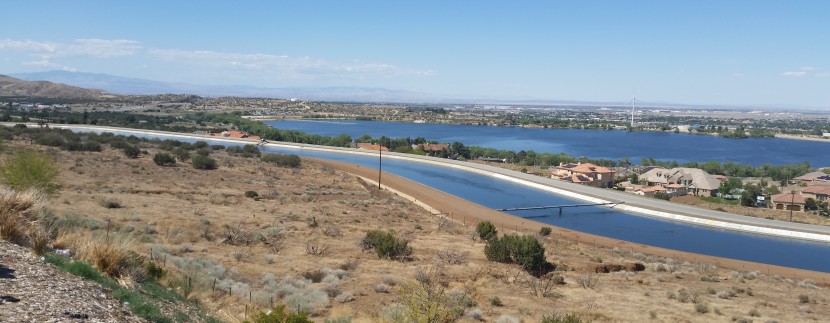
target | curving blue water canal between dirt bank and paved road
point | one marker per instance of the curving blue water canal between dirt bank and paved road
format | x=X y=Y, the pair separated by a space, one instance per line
x=496 y=193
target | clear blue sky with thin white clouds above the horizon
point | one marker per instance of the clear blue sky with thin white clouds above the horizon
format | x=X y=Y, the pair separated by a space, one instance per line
x=699 y=52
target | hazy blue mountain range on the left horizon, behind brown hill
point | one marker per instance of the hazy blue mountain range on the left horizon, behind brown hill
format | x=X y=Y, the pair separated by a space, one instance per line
x=136 y=86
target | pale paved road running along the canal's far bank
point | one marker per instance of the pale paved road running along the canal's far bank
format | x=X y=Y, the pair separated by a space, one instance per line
x=631 y=200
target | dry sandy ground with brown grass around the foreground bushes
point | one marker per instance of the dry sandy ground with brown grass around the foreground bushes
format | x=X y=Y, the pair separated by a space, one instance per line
x=183 y=217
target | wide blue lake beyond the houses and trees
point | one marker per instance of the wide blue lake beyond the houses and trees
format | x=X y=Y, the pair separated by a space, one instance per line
x=607 y=144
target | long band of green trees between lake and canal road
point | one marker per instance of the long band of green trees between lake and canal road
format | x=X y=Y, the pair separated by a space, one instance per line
x=217 y=122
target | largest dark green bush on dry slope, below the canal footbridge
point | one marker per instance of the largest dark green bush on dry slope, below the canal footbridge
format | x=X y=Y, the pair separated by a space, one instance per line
x=523 y=250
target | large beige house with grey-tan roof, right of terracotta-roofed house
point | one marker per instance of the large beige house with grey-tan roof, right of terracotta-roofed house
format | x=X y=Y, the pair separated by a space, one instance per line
x=696 y=181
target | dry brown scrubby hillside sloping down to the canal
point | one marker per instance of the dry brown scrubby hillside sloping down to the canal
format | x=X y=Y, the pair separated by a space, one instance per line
x=251 y=234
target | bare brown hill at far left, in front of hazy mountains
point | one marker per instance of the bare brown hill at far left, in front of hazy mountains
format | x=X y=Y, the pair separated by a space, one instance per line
x=10 y=86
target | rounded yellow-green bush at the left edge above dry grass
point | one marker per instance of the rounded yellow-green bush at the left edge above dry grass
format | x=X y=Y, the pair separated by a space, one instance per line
x=28 y=169
